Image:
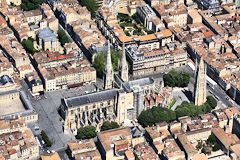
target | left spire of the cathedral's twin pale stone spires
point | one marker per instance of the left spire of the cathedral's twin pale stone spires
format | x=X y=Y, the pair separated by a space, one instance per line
x=108 y=79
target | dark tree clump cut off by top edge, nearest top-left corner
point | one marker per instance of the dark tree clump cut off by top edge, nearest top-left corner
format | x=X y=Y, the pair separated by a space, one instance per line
x=28 y=5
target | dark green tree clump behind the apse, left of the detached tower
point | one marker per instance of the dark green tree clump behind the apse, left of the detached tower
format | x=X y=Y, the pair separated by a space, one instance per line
x=175 y=78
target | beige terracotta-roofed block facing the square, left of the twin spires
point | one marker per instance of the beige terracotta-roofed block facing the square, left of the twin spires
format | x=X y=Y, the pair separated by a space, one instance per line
x=60 y=71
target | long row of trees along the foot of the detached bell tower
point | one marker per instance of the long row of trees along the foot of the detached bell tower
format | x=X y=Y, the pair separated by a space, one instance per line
x=159 y=114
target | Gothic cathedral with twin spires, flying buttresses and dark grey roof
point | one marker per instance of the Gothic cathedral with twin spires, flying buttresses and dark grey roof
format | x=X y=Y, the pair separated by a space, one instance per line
x=120 y=100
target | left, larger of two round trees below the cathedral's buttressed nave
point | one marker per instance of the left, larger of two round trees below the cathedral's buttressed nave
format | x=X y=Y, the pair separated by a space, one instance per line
x=86 y=132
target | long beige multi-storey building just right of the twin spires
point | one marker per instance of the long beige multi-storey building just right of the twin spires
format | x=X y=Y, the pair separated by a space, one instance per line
x=146 y=61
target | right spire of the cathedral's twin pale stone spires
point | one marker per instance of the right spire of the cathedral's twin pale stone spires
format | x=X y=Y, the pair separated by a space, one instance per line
x=124 y=65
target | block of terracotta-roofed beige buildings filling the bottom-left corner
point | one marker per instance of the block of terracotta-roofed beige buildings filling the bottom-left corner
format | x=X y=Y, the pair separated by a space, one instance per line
x=22 y=145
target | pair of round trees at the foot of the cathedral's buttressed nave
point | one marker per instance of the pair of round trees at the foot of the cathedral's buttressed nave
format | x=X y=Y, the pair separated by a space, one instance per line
x=90 y=131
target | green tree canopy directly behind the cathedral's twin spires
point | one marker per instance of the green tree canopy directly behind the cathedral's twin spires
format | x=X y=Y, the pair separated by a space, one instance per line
x=100 y=61
